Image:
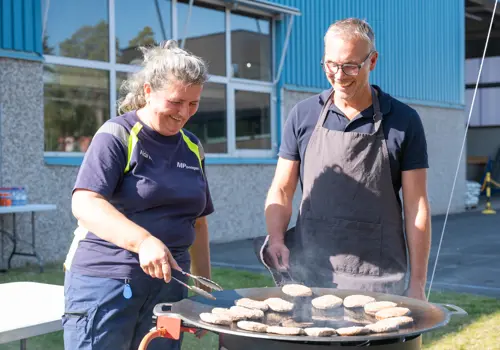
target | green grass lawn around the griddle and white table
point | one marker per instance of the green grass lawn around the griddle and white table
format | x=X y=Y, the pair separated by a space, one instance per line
x=478 y=331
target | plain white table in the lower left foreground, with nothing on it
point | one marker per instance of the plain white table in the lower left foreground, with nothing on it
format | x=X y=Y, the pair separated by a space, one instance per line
x=28 y=309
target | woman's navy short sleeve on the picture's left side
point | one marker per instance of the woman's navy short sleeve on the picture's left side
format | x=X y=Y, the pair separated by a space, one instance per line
x=103 y=164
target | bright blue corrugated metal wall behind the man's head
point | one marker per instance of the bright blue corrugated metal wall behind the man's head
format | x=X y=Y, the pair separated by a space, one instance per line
x=420 y=43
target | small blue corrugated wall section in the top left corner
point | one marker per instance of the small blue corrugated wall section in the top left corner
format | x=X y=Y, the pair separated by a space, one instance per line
x=20 y=27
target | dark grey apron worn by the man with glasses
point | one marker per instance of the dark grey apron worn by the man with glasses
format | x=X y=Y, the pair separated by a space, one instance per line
x=349 y=231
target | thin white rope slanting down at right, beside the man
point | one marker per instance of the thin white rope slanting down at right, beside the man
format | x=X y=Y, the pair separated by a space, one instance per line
x=462 y=149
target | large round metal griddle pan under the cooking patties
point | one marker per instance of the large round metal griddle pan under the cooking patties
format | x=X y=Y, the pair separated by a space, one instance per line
x=183 y=316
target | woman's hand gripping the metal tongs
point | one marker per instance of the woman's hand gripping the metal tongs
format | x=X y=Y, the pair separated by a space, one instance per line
x=156 y=260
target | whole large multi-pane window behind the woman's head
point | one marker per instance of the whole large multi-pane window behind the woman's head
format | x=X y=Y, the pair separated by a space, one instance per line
x=92 y=46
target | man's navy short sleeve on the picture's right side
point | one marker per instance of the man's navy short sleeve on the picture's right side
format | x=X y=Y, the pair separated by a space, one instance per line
x=414 y=147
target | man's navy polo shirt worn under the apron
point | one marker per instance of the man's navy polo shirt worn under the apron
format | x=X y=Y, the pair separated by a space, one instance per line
x=403 y=130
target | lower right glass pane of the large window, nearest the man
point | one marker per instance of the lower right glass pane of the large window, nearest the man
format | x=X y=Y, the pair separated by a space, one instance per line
x=253 y=120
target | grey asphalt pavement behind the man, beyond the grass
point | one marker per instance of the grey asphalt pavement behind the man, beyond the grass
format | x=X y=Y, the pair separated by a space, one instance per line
x=469 y=259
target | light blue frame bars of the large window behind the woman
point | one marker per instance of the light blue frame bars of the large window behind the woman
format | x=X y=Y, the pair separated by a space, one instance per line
x=232 y=84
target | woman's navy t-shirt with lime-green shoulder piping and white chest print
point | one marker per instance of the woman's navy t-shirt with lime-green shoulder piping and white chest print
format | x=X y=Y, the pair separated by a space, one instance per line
x=164 y=192
